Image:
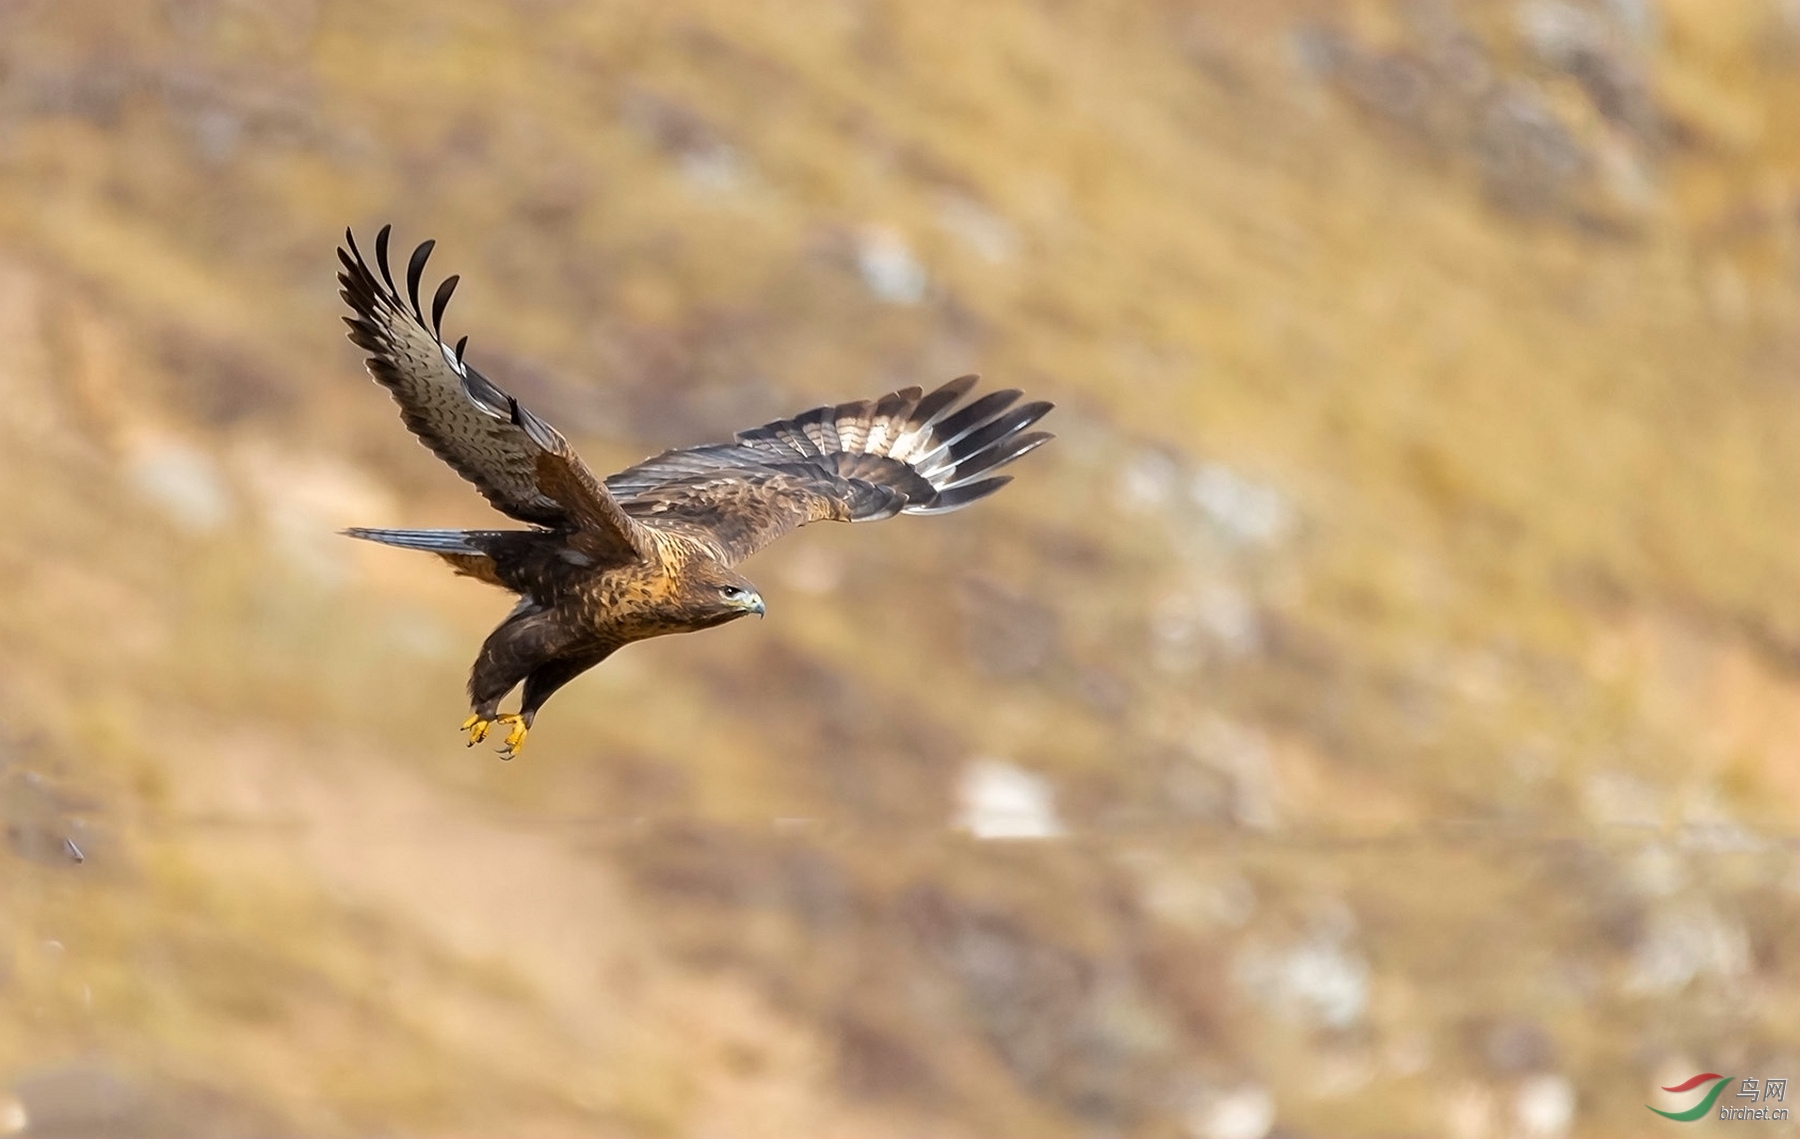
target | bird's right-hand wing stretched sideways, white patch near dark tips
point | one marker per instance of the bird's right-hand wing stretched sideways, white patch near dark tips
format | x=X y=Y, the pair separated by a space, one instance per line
x=859 y=462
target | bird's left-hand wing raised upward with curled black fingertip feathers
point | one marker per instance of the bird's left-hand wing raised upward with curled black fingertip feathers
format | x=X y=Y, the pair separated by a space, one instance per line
x=514 y=458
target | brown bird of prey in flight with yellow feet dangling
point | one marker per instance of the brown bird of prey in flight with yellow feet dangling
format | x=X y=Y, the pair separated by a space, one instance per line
x=652 y=550
